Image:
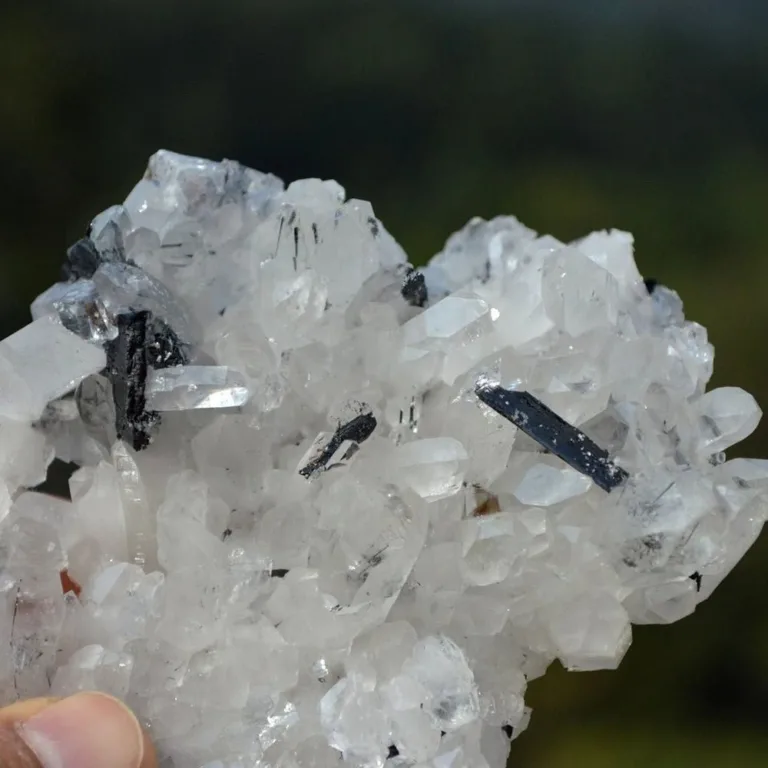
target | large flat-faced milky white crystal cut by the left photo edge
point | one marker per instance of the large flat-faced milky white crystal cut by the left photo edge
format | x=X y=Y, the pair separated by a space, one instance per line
x=40 y=363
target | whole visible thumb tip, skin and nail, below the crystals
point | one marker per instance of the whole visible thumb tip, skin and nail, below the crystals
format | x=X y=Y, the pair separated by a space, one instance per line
x=89 y=730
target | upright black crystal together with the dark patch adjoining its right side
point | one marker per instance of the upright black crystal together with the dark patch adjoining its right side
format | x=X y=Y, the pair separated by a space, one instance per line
x=142 y=342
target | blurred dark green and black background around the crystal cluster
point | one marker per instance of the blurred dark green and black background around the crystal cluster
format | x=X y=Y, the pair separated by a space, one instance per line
x=646 y=115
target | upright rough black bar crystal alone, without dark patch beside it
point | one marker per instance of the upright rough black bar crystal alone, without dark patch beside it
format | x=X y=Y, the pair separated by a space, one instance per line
x=127 y=368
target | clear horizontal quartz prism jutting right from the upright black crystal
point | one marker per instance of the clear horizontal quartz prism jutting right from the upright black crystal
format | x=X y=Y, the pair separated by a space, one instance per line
x=189 y=387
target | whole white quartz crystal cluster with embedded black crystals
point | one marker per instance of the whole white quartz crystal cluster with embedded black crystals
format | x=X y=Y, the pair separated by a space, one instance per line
x=331 y=510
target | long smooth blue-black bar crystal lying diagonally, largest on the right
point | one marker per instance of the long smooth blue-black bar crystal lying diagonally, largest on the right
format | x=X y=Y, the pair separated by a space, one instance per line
x=553 y=433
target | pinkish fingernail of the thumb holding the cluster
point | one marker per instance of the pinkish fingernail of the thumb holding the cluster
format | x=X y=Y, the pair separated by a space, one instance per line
x=89 y=730
